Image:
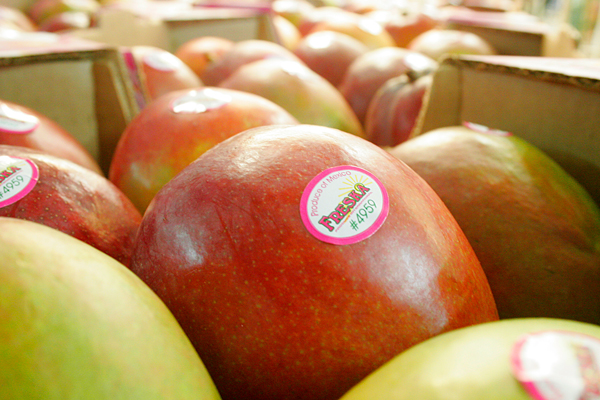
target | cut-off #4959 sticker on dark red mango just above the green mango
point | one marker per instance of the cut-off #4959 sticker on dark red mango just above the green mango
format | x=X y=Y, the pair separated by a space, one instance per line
x=18 y=176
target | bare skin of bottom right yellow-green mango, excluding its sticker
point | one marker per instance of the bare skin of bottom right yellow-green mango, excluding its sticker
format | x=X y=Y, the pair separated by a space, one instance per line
x=471 y=363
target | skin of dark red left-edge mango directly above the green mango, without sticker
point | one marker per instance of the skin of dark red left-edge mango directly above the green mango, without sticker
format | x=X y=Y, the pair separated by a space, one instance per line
x=78 y=202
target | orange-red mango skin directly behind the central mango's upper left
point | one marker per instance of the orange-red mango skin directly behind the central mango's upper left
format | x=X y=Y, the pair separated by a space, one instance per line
x=158 y=143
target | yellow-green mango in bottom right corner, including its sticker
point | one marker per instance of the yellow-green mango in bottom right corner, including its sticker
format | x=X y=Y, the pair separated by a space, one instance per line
x=482 y=362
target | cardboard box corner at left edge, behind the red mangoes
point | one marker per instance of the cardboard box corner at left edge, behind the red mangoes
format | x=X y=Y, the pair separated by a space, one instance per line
x=81 y=85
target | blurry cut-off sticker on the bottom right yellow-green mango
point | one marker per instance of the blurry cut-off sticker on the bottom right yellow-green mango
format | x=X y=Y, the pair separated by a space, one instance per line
x=558 y=365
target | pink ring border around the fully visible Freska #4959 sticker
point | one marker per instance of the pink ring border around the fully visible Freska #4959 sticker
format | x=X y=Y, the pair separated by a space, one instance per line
x=351 y=239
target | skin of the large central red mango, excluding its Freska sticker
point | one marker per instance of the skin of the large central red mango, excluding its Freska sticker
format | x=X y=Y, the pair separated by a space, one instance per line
x=277 y=314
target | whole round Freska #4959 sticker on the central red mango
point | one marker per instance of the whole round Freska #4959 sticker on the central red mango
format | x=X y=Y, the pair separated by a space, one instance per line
x=344 y=205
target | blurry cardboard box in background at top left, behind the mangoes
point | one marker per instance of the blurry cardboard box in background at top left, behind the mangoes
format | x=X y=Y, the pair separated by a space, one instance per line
x=169 y=24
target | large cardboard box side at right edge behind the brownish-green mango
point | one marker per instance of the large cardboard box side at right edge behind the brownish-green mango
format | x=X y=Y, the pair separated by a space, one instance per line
x=553 y=103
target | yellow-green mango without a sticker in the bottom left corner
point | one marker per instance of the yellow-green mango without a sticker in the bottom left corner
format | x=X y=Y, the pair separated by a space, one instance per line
x=76 y=324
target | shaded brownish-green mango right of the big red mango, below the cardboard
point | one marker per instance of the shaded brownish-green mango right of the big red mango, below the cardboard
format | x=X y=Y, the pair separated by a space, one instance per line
x=533 y=227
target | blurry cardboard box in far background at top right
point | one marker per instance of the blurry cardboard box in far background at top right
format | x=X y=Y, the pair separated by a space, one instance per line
x=515 y=33
